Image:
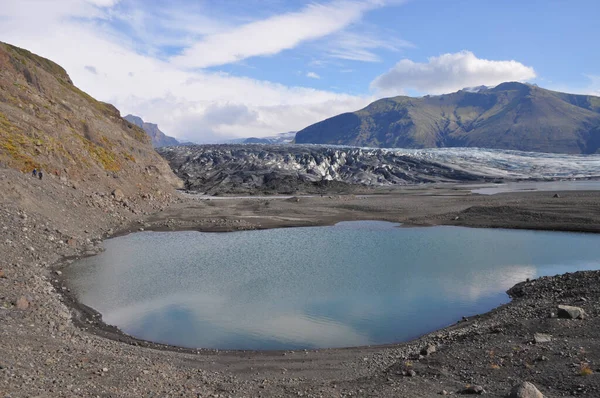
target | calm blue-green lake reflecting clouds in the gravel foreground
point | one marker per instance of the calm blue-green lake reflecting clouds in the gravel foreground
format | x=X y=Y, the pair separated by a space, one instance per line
x=352 y=284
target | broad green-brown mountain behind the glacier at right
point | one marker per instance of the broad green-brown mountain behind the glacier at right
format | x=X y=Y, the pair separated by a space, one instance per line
x=509 y=116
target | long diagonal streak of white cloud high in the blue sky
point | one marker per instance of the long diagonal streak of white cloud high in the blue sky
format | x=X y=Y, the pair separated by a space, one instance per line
x=273 y=35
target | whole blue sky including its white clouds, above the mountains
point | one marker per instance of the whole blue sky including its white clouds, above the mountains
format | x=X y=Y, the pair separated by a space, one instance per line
x=208 y=70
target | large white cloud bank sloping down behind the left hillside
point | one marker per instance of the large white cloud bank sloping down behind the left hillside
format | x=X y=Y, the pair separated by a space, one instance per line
x=193 y=105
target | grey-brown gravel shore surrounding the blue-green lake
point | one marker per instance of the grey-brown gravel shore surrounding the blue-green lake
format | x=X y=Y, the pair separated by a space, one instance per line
x=53 y=347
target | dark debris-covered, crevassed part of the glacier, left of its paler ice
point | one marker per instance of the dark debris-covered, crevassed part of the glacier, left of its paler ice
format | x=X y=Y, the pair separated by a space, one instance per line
x=288 y=169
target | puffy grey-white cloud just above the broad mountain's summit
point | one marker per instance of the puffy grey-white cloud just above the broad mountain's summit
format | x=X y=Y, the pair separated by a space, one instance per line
x=449 y=72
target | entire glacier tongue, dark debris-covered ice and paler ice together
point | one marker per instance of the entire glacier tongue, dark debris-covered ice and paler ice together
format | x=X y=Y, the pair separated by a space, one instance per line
x=309 y=168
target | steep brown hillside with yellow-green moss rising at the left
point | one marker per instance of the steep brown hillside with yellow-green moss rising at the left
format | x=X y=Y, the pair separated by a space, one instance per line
x=47 y=123
